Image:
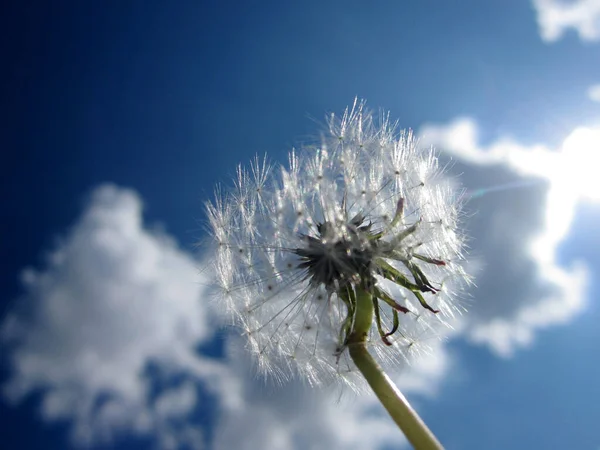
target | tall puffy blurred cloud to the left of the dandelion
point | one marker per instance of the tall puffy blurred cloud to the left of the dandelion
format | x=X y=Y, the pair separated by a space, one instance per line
x=113 y=299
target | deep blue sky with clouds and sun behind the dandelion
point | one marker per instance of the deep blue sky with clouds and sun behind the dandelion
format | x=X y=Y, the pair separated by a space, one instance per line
x=119 y=118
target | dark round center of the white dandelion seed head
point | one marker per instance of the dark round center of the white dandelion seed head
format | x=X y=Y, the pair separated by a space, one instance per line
x=337 y=256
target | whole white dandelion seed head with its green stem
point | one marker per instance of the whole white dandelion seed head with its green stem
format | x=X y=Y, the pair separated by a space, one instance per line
x=353 y=247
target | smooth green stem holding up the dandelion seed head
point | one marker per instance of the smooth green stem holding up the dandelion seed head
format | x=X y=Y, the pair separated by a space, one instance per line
x=388 y=394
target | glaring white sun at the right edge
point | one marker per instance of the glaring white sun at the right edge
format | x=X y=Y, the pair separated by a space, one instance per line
x=580 y=162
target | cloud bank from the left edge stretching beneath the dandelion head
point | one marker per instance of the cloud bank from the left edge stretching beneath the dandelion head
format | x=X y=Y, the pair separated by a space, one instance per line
x=108 y=329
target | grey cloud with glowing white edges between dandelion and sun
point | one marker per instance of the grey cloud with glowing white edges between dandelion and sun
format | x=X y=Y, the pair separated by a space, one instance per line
x=524 y=211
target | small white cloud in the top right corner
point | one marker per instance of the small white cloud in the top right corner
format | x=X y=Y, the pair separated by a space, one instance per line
x=555 y=17
